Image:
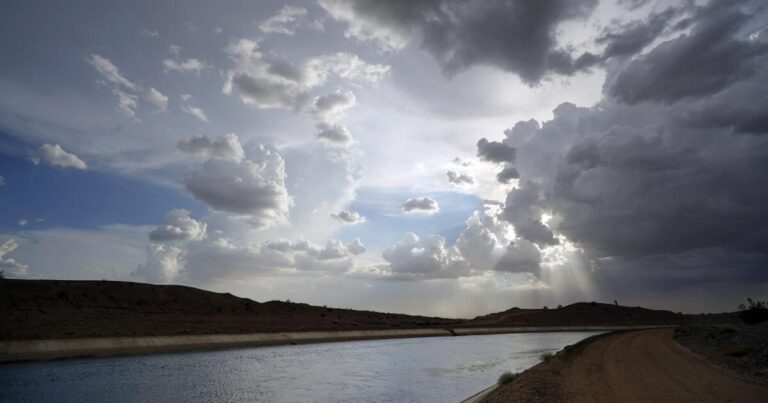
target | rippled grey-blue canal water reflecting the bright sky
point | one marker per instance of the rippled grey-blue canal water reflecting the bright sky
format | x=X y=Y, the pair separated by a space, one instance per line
x=434 y=369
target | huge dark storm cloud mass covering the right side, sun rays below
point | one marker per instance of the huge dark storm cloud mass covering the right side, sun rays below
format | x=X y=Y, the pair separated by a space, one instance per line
x=660 y=185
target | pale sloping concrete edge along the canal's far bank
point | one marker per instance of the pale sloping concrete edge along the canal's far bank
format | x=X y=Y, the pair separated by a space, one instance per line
x=34 y=350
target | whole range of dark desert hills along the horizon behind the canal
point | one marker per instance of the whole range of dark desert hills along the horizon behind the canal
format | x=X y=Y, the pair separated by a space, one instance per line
x=60 y=309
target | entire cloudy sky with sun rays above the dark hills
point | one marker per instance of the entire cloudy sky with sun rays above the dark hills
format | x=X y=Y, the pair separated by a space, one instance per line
x=437 y=157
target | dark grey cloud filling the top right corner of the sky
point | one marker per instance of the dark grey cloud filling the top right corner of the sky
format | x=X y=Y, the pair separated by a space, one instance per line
x=712 y=57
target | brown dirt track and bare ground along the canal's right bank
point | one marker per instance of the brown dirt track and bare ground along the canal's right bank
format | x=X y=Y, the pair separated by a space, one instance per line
x=636 y=366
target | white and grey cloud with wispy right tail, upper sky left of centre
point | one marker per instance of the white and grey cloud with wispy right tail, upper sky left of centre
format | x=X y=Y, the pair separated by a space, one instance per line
x=267 y=81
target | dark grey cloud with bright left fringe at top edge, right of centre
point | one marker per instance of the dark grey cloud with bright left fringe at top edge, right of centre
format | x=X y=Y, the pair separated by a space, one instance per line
x=519 y=37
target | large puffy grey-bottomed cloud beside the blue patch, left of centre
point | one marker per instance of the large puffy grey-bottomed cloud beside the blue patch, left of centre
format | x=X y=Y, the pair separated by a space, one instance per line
x=253 y=188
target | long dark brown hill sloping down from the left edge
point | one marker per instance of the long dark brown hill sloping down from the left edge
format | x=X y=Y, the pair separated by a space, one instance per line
x=43 y=309
